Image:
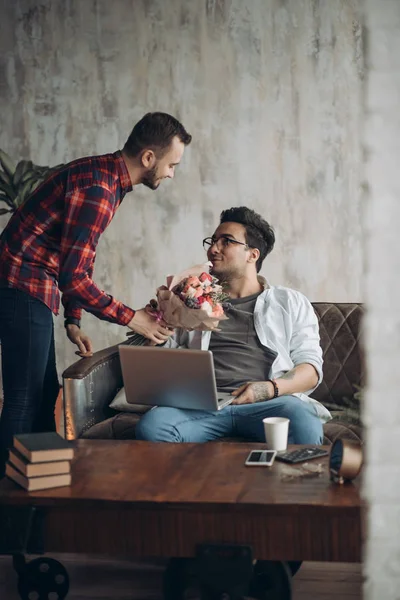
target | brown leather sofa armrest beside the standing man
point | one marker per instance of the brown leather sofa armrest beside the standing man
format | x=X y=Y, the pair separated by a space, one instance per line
x=89 y=385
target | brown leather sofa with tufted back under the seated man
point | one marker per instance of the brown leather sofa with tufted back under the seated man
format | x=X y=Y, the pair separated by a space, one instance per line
x=90 y=384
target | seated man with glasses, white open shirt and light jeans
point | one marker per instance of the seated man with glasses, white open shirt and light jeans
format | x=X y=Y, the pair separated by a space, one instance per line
x=267 y=353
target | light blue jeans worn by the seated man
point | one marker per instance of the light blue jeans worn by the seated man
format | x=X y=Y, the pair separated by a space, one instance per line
x=164 y=424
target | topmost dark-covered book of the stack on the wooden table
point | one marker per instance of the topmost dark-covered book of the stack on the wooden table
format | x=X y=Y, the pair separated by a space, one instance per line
x=43 y=447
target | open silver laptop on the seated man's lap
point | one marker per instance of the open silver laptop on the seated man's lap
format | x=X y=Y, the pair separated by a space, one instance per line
x=171 y=377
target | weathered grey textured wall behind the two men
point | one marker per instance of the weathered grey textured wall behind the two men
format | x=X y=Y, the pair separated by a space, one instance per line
x=270 y=89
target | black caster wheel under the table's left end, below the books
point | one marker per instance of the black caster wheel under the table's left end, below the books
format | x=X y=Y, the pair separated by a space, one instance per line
x=43 y=579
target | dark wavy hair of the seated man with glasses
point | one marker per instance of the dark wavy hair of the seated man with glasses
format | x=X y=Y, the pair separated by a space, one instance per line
x=259 y=233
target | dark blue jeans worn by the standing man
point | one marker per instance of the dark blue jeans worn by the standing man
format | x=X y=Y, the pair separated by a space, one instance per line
x=30 y=381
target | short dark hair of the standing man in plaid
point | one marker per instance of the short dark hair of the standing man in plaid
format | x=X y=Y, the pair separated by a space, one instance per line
x=155 y=131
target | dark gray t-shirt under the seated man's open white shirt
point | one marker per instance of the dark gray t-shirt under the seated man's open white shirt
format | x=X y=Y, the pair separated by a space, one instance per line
x=239 y=356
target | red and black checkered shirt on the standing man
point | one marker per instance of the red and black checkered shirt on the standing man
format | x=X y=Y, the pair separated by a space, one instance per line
x=49 y=244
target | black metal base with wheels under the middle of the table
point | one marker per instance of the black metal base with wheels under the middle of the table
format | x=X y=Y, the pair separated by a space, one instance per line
x=226 y=573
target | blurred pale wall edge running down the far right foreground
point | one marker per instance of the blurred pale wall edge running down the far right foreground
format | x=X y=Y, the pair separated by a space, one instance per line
x=382 y=199
